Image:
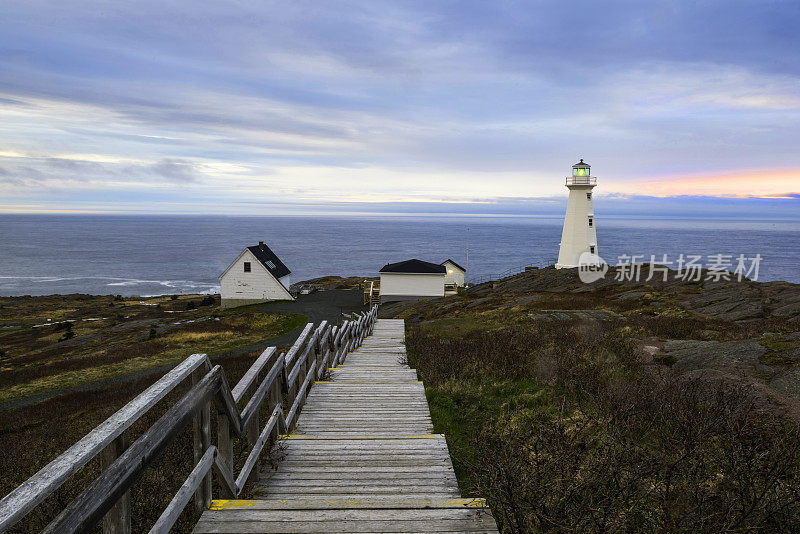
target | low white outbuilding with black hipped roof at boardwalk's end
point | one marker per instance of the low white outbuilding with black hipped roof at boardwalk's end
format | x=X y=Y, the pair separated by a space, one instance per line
x=412 y=280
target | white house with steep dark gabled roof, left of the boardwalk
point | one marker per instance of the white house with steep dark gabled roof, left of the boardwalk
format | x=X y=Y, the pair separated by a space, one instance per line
x=256 y=275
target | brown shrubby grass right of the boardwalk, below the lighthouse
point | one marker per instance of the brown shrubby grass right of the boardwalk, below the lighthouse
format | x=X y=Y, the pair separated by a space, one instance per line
x=562 y=427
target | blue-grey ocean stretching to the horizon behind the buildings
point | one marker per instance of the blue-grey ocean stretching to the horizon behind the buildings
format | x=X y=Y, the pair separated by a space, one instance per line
x=152 y=255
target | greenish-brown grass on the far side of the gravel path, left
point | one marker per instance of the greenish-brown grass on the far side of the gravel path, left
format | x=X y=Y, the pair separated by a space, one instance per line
x=147 y=339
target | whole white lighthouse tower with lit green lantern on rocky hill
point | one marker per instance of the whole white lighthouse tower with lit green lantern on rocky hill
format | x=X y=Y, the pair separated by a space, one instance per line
x=579 y=234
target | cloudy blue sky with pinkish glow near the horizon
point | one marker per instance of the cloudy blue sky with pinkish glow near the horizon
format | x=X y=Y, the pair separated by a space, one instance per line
x=444 y=107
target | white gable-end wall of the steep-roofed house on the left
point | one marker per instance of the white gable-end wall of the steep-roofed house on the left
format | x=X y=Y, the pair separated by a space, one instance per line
x=258 y=284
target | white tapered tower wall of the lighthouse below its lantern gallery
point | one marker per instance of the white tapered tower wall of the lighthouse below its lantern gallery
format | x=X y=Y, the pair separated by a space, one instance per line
x=577 y=236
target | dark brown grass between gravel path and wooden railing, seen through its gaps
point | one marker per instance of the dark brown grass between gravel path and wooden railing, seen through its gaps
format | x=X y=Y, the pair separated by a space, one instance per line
x=32 y=437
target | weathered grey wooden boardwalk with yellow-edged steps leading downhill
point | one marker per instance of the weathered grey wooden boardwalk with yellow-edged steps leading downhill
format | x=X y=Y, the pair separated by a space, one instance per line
x=362 y=459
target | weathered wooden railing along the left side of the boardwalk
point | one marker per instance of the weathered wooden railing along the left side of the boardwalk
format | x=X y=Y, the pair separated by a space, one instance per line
x=282 y=388
